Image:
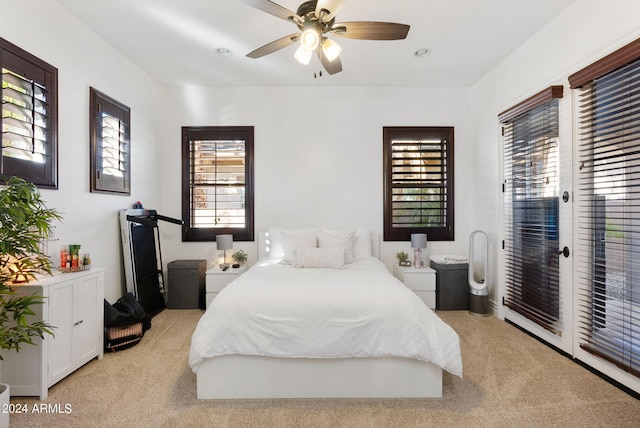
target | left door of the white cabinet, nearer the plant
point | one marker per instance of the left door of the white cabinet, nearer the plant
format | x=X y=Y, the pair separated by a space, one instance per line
x=61 y=316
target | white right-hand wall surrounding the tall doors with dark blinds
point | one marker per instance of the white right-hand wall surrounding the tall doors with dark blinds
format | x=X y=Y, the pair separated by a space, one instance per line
x=583 y=33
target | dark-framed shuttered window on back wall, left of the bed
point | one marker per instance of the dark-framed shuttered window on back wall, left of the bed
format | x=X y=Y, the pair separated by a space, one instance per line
x=217 y=182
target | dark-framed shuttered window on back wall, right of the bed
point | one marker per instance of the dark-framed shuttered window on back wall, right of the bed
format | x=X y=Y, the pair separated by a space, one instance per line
x=418 y=182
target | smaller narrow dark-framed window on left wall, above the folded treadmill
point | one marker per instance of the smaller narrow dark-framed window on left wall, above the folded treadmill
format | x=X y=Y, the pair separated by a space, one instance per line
x=109 y=124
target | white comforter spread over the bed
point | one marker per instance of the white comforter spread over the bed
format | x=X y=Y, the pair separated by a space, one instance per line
x=358 y=311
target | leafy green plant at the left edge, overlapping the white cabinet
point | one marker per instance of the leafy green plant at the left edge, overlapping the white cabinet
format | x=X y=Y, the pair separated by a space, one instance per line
x=25 y=222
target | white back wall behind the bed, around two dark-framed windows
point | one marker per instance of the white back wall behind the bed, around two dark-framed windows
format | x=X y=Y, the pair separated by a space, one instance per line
x=318 y=155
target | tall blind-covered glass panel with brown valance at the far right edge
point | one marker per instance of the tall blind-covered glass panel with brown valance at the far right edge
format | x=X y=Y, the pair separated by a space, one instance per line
x=609 y=207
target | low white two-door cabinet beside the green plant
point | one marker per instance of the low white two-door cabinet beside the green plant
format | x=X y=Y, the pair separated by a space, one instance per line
x=74 y=304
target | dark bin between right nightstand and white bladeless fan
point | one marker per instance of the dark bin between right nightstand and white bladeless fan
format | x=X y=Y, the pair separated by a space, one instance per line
x=452 y=288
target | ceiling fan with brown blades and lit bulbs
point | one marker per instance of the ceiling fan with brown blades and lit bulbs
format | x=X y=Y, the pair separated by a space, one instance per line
x=316 y=20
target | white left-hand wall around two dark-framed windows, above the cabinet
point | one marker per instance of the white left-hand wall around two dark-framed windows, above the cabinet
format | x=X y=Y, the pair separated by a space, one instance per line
x=84 y=60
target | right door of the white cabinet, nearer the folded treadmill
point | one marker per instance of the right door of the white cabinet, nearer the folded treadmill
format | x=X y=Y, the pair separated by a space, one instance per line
x=85 y=319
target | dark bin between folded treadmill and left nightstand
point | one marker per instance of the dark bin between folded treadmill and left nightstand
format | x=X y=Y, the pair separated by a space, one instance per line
x=186 y=284
